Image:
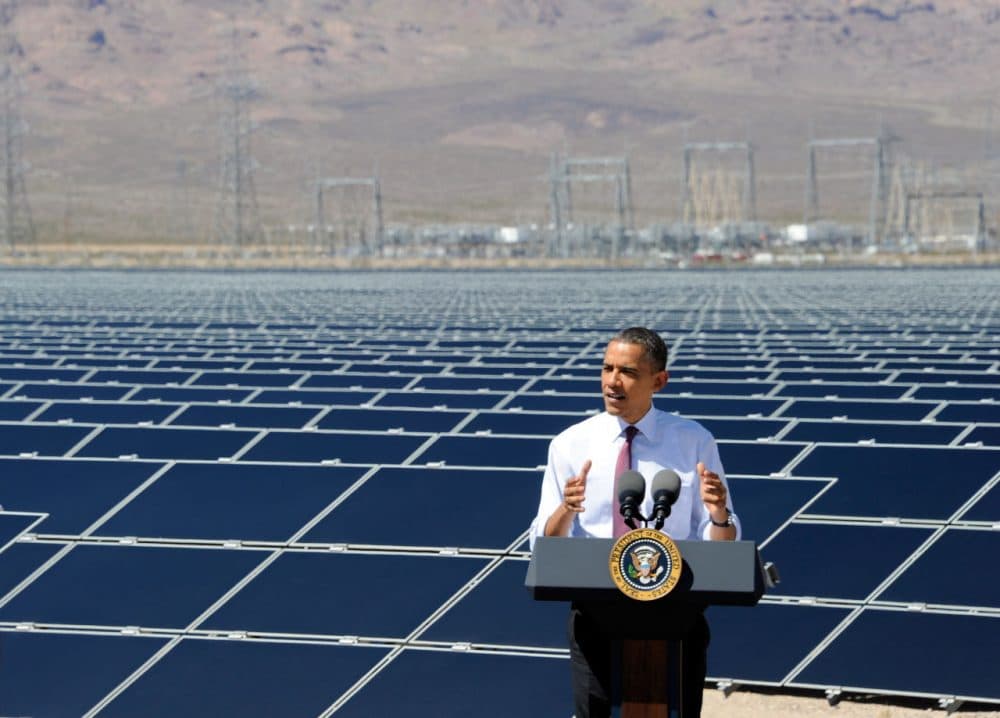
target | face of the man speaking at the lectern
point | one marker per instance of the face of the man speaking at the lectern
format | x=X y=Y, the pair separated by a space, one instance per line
x=628 y=381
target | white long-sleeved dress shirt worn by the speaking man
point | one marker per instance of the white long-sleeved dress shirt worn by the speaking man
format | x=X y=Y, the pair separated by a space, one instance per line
x=664 y=441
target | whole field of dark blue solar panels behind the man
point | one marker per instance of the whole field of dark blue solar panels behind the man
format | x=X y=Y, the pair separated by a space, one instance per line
x=305 y=494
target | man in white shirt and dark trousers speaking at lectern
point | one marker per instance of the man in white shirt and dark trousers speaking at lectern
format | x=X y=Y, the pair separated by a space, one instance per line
x=578 y=496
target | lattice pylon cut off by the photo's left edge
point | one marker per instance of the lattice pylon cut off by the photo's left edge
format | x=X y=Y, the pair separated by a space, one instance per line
x=18 y=227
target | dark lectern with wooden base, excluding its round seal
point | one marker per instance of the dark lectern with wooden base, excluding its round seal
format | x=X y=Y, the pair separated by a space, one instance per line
x=647 y=636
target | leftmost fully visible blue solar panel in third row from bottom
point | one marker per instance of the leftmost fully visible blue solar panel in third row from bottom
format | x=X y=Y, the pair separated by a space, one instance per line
x=216 y=501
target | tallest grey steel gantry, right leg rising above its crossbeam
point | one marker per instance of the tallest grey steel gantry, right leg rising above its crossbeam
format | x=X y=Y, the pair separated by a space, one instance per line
x=881 y=178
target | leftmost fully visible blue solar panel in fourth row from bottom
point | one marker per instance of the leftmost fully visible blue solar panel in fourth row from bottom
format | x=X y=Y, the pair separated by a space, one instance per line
x=166 y=443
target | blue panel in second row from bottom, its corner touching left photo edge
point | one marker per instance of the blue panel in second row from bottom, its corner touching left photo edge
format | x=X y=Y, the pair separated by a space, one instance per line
x=130 y=586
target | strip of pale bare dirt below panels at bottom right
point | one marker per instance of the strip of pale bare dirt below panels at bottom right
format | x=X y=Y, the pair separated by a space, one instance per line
x=756 y=704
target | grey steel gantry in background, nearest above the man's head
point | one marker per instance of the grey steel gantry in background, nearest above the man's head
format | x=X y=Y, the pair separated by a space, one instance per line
x=563 y=174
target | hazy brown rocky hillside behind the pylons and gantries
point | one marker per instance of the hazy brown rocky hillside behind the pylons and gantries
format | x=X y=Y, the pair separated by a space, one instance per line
x=459 y=102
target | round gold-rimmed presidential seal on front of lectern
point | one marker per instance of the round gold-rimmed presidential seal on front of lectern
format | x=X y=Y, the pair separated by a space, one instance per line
x=645 y=564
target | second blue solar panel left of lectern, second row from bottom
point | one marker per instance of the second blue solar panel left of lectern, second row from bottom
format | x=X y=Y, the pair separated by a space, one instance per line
x=344 y=594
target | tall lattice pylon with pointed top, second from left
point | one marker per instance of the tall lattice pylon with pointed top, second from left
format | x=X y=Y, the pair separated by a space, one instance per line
x=237 y=218
